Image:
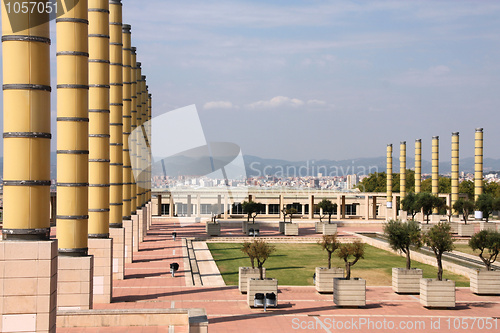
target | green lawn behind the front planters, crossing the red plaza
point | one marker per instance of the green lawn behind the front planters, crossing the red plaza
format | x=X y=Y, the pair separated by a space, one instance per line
x=294 y=264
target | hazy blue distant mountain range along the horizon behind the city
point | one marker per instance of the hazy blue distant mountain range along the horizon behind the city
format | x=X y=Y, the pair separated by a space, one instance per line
x=256 y=166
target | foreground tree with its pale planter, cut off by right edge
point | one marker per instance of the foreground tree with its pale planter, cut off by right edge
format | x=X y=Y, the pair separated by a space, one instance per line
x=486 y=282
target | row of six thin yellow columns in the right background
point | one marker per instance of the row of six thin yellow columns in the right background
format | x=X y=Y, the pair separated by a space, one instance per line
x=455 y=154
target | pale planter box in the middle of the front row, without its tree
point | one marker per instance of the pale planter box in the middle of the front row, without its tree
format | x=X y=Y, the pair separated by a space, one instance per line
x=349 y=292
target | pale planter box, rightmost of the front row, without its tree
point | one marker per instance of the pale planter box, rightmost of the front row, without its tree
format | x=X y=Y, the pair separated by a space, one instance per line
x=437 y=294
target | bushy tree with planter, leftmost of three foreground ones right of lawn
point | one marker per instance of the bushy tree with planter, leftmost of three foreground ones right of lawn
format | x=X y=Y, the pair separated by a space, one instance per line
x=401 y=237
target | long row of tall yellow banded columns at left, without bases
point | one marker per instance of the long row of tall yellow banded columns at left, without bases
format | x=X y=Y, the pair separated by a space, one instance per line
x=96 y=84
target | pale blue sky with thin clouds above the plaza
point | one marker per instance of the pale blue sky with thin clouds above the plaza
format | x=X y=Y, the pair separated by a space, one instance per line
x=312 y=79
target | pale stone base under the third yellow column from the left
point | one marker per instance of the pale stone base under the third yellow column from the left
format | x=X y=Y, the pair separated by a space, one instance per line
x=102 y=250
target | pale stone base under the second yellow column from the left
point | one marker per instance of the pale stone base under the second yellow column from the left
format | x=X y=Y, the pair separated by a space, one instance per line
x=74 y=283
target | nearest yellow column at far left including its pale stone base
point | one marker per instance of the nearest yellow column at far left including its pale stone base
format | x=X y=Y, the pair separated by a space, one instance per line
x=28 y=257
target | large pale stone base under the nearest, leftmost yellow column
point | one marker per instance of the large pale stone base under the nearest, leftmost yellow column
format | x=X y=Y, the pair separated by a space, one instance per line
x=28 y=293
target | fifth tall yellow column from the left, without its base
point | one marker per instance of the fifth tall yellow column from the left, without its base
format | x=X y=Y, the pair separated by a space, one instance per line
x=127 y=105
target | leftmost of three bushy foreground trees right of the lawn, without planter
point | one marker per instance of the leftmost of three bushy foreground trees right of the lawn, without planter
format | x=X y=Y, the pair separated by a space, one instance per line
x=403 y=235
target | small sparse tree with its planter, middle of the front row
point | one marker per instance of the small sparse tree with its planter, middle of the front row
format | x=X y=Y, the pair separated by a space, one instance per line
x=347 y=292
